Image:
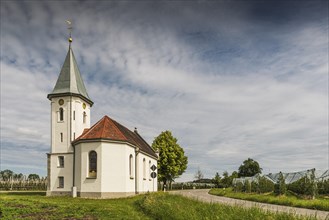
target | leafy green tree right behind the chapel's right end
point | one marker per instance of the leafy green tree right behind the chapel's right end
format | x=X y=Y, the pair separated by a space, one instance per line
x=172 y=162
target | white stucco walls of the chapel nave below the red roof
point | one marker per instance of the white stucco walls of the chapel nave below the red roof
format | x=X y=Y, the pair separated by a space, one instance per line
x=112 y=169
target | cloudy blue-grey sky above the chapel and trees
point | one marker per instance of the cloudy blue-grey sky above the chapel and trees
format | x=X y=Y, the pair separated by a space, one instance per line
x=230 y=79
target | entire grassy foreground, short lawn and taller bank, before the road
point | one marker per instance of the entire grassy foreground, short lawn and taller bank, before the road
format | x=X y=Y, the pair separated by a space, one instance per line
x=34 y=205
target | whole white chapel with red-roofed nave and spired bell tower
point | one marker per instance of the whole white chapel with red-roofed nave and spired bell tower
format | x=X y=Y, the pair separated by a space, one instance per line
x=105 y=160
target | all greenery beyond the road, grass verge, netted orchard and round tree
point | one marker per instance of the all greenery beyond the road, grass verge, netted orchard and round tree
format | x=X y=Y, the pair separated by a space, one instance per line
x=247 y=184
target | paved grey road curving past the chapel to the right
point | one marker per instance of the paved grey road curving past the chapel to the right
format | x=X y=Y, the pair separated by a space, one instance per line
x=202 y=195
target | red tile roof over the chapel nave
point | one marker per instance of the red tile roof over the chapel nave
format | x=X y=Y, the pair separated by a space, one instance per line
x=109 y=129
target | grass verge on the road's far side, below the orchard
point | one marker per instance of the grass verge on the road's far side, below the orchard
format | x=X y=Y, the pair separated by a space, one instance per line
x=320 y=203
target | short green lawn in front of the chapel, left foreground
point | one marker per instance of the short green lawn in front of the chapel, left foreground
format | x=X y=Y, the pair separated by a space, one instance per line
x=38 y=206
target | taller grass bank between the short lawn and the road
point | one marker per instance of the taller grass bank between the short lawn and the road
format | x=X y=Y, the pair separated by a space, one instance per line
x=168 y=206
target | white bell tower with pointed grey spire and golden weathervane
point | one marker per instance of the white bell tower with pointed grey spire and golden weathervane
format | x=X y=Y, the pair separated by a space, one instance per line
x=70 y=115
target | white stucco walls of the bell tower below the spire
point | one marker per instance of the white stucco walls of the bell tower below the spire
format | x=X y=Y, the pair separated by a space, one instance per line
x=70 y=123
